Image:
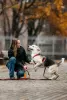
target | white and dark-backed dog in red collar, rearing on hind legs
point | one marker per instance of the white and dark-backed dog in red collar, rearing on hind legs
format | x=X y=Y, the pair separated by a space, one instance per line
x=46 y=62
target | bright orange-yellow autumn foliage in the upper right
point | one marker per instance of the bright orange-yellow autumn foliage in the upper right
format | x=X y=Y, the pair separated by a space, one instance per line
x=59 y=22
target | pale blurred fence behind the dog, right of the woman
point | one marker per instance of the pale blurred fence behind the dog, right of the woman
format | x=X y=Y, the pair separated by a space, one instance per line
x=51 y=46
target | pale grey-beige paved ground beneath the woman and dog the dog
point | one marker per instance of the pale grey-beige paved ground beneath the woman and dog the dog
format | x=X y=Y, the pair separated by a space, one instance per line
x=34 y=89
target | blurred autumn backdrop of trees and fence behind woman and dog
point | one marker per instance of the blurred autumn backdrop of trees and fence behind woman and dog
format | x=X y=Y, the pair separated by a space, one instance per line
x=41 y=22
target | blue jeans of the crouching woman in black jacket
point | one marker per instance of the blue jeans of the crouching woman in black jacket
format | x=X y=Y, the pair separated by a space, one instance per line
x=11 y=66
